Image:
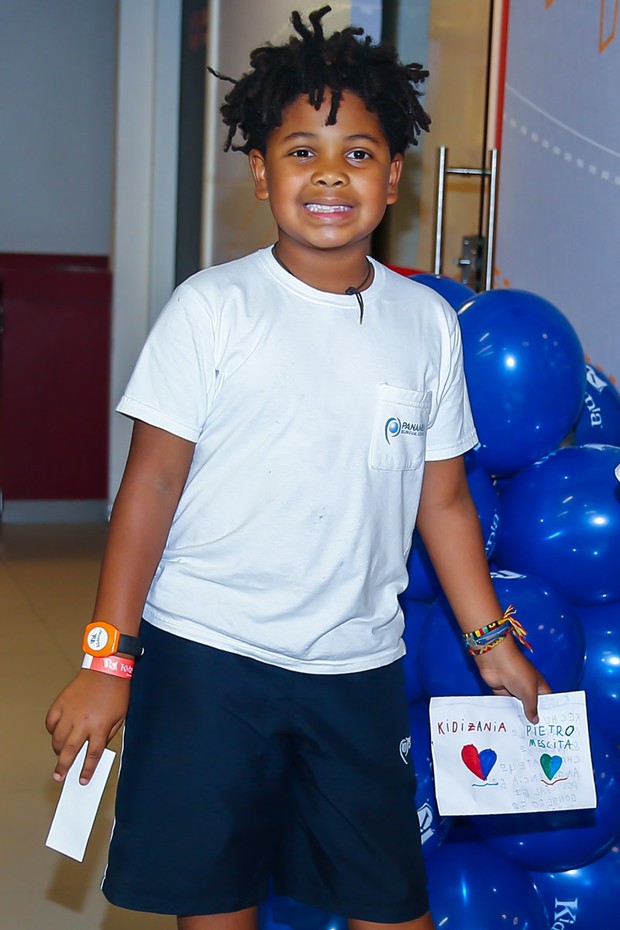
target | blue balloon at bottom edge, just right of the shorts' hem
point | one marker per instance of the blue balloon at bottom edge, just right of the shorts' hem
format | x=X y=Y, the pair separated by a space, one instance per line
x=471 y=886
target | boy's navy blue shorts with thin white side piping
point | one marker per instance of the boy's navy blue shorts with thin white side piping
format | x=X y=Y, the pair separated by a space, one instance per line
x=236 y=774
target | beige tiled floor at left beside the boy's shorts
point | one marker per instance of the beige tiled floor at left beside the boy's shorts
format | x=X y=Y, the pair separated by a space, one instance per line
x=48 y=576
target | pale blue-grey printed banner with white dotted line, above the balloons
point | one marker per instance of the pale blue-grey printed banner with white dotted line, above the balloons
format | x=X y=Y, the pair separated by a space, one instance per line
x=559 y=189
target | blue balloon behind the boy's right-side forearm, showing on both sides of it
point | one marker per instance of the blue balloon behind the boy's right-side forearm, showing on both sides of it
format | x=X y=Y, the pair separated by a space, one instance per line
x=423 y=582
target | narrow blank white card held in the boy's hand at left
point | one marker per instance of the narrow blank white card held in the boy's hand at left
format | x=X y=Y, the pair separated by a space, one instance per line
x=77 y=806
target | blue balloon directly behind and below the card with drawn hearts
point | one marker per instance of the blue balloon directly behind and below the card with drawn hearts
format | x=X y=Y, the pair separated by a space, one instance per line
x=563 y=840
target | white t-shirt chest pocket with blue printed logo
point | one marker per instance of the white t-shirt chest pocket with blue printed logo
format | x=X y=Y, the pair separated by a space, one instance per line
x=399 y=428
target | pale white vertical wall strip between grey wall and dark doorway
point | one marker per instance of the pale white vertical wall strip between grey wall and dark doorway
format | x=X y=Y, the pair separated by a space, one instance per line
x=144 y=223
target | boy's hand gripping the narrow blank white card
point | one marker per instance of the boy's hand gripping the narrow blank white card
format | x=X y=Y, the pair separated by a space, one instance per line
x=90 y=709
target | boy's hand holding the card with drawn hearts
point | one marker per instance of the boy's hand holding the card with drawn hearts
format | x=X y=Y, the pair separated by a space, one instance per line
x=507 y=671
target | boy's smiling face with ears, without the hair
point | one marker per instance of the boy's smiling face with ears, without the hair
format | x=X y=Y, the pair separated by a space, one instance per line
x=328 y=186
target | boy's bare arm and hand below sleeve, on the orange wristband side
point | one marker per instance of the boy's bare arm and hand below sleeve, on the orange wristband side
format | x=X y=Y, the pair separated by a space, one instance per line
x=93 y=706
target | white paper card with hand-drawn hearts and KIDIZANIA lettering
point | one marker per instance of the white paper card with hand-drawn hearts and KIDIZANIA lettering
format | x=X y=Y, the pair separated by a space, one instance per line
x=489 y=759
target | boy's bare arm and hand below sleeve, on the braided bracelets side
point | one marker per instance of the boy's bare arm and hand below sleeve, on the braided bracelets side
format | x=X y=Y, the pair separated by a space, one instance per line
x=449 y=526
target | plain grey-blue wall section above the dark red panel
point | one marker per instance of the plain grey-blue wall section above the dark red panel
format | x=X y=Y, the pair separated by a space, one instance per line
x=57 y=74
